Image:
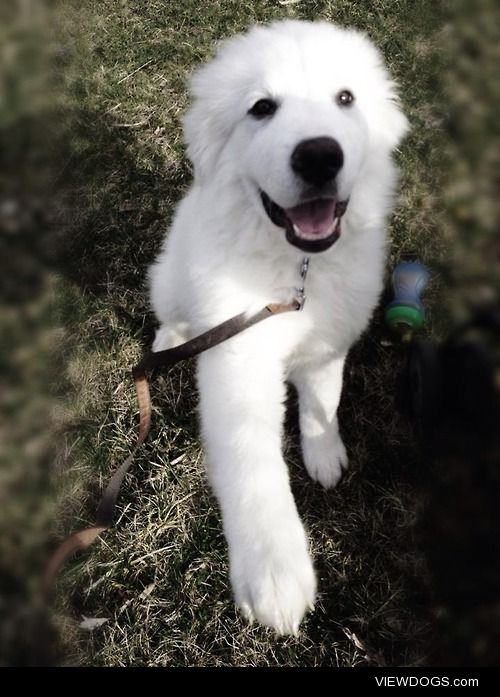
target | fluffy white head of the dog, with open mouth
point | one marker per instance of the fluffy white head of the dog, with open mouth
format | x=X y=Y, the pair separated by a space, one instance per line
x=294 y=111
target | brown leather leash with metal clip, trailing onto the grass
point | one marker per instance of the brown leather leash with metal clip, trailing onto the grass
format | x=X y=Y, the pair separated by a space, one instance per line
x=167 y=358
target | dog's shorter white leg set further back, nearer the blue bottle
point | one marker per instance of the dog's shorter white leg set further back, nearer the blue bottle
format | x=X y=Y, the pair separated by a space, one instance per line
x=319 y=391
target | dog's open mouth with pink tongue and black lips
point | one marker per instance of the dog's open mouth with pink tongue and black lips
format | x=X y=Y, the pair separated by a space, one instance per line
x=312 y=226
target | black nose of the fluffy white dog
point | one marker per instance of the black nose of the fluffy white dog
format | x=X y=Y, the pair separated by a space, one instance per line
x=317 y=160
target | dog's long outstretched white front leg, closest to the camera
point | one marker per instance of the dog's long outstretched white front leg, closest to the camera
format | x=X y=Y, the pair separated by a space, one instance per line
x=242 y=406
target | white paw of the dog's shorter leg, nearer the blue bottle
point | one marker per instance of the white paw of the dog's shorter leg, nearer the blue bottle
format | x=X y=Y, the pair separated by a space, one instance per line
x=325 y=458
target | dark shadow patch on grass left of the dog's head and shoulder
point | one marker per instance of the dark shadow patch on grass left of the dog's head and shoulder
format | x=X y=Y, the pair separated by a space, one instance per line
x=115 y=201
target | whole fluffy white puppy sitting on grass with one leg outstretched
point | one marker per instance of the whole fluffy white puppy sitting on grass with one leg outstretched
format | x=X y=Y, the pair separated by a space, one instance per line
x=290 y=132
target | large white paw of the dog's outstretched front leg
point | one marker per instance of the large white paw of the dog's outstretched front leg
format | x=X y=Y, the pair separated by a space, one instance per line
x=275 y=583
